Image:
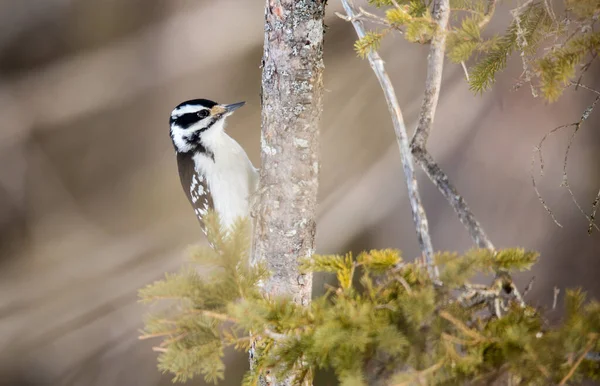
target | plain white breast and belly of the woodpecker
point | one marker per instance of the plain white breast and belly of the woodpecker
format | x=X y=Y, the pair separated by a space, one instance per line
x=231 y=178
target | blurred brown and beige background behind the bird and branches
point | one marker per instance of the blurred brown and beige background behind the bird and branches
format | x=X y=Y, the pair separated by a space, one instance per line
x=90 y=203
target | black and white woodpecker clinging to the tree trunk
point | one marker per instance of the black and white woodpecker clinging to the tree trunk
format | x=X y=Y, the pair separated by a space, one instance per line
x=214 y=170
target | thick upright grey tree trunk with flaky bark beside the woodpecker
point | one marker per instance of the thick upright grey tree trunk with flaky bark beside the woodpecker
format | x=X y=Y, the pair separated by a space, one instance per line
x=292 y=93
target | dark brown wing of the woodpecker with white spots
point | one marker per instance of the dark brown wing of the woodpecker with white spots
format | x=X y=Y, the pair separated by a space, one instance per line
x=195 y=187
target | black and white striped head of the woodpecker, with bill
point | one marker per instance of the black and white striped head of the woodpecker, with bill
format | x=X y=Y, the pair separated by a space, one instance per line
x=192 y=119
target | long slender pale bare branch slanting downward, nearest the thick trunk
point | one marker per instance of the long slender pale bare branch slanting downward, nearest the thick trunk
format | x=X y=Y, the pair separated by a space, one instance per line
x=419 y=216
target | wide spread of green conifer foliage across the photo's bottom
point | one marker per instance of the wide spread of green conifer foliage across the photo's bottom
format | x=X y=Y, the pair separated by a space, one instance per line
x=392 y=315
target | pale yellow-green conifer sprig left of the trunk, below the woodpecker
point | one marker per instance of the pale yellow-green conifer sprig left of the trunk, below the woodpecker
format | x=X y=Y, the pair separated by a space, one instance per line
x=193 y=329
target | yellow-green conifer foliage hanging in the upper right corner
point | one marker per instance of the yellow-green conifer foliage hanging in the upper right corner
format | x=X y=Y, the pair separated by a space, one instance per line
x=554 y=49
